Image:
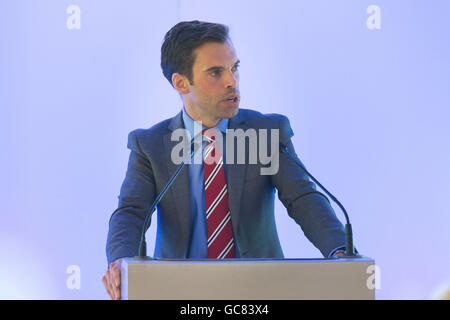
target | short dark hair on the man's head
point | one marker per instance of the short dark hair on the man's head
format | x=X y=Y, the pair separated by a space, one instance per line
x=181 y=41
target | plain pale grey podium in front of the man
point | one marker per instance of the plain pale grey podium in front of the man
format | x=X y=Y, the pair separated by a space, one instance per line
x=247 y=279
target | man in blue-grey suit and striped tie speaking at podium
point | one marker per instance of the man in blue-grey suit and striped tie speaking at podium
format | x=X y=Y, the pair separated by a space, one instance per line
x=219 y=210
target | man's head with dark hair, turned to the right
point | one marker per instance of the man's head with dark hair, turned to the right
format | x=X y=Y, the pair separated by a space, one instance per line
x=199 y=60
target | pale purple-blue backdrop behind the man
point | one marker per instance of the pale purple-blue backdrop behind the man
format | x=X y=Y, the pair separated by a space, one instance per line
x=369 y=108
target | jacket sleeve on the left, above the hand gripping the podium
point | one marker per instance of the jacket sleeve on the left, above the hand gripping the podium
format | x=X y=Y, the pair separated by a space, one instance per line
x=136 y=196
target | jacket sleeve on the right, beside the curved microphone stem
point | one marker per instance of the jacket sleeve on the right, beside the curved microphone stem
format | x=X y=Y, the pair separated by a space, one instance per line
x=309 y=208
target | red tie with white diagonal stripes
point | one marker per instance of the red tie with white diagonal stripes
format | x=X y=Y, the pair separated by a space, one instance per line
x=218 y=218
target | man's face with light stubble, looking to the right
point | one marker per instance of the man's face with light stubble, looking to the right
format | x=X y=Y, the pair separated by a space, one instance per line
x=214 y=93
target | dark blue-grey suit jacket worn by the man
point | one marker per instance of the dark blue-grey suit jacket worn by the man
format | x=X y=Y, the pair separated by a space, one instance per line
x=251 y=197
